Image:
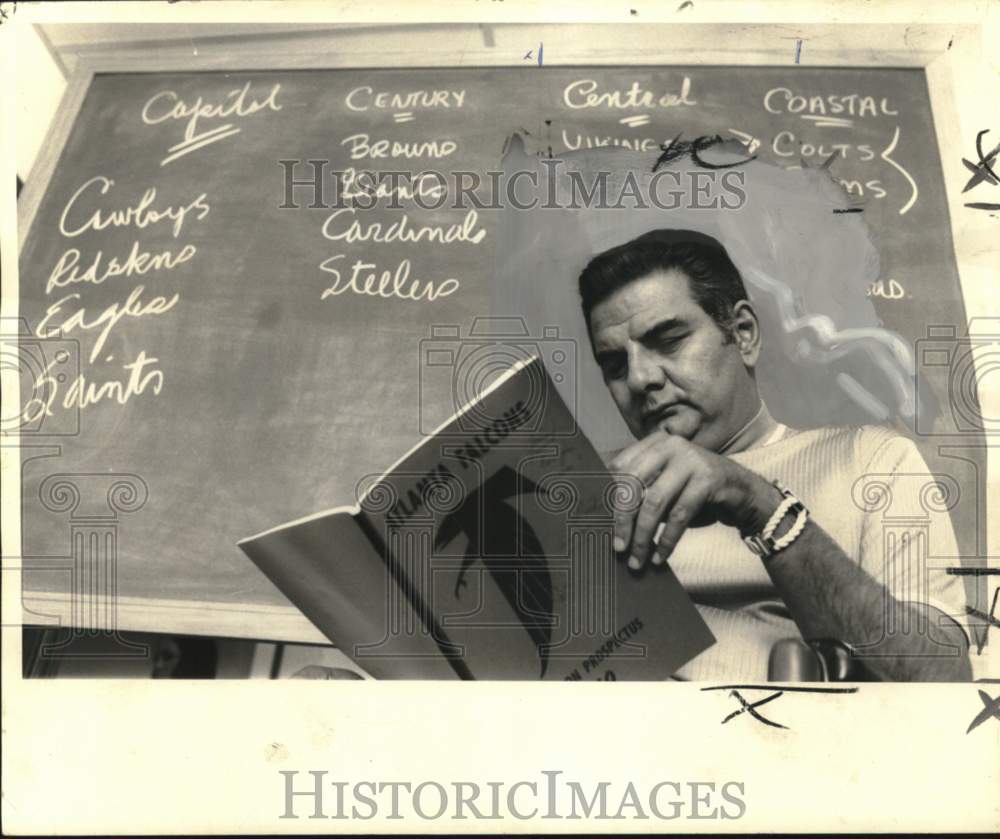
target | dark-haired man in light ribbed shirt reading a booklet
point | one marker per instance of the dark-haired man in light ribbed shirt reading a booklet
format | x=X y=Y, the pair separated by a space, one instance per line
x=677 y=341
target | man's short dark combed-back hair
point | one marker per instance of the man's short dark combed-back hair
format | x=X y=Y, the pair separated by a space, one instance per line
x=715 y=283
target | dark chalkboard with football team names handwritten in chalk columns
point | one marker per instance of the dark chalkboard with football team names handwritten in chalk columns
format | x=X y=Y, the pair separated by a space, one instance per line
x=221 y=377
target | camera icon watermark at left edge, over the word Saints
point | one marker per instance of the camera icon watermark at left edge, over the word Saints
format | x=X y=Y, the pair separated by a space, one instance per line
x=45 y=367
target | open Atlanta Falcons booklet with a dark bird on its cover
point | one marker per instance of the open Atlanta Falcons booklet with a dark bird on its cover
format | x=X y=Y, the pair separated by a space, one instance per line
x=485 y=552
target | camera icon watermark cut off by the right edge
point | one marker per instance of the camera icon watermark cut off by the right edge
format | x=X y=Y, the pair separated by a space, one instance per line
x=957 y=366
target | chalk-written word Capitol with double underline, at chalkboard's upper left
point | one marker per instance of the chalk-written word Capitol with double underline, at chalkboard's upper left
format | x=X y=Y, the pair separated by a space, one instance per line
x=167 y=105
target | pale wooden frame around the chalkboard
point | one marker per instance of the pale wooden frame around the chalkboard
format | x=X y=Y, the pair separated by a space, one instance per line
x=951 y=56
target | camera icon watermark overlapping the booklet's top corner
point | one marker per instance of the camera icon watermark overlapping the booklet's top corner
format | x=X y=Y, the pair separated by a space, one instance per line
x=458 y=369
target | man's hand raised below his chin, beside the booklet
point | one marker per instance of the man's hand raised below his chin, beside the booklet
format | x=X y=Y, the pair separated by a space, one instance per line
x=686 y=486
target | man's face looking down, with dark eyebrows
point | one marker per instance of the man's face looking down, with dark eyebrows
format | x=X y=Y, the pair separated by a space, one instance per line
x=668 y=364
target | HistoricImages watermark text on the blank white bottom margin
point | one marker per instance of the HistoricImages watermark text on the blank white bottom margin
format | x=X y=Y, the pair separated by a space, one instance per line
x=313 y=795
